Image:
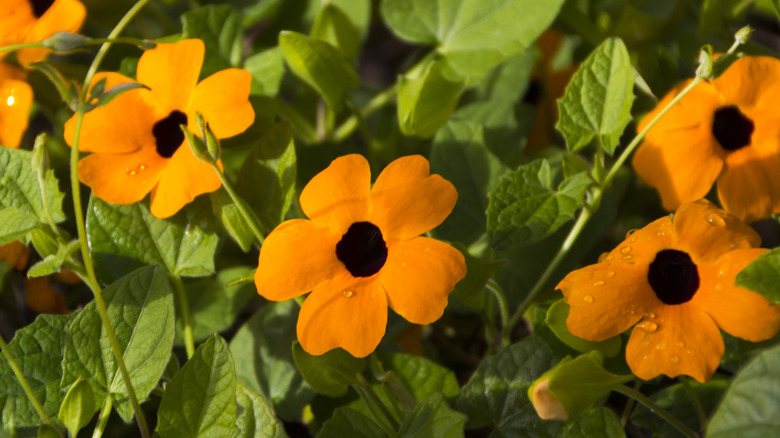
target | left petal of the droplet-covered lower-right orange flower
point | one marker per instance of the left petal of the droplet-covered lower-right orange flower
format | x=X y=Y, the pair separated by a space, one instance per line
x=606 y=299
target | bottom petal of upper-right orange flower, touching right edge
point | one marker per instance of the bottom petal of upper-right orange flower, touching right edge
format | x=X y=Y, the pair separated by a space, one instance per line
x=749 y=186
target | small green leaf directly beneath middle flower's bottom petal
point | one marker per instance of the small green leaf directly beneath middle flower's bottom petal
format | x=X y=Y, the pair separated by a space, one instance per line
x=331 y=373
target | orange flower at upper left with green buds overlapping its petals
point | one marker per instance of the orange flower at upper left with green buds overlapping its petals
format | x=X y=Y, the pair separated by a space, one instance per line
x=137 y=143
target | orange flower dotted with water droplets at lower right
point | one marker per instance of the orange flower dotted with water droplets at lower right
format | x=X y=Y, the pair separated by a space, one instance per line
x=675 y=278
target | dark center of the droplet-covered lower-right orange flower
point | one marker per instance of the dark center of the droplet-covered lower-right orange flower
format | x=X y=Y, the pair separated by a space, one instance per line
x=673 y=276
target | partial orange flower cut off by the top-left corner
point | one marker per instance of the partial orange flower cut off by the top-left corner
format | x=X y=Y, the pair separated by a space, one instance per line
x=24 y=21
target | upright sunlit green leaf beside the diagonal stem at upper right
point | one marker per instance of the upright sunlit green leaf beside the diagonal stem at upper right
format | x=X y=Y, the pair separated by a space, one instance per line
x=597 y=102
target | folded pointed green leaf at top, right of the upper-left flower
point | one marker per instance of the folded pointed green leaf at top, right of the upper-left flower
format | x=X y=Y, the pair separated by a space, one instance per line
x=320 y=65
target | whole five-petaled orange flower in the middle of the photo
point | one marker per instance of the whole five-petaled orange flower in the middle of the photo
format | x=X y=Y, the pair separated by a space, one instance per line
x=361 y=251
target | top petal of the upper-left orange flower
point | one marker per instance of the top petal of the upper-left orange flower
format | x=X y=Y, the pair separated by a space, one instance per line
x=171 y=71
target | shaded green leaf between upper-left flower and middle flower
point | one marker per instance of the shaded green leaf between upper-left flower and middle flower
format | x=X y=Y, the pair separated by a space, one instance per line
x=272 y=165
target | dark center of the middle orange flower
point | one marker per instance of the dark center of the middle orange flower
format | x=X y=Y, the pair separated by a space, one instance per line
x=362 y=249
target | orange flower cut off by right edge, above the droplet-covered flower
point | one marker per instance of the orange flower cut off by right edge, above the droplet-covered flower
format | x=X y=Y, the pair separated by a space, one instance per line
x=726 y=130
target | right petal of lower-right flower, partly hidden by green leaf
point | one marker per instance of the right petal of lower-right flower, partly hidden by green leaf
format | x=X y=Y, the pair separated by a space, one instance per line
x=738 y=311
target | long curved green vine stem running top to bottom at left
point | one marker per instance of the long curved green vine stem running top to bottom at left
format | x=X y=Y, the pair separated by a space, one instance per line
x=75 y=189
